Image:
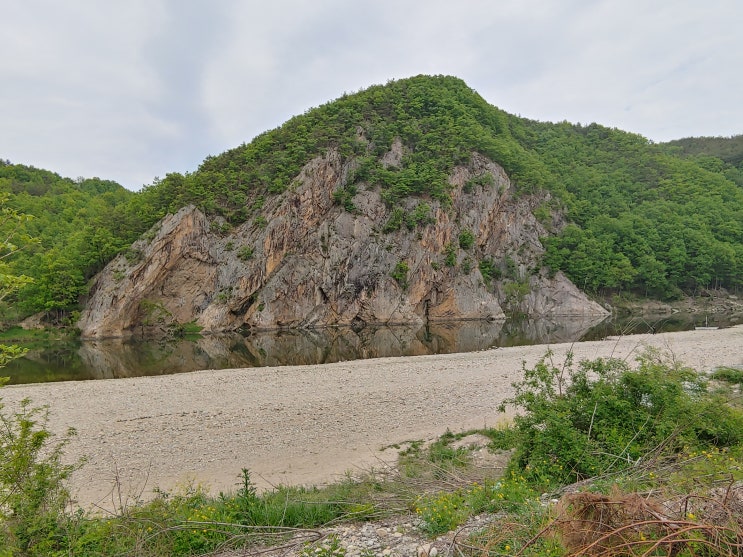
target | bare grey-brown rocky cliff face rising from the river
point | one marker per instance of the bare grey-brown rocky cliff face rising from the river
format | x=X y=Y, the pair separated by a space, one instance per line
x=305 y=261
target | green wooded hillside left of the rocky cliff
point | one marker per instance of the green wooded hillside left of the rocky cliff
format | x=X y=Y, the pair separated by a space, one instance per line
x=78 y=226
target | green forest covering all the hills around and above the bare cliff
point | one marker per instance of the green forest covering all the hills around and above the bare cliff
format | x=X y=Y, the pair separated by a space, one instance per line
x=658 y=220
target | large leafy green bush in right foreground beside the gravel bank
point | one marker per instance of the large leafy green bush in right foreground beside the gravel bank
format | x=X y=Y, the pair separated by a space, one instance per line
x=603 y=416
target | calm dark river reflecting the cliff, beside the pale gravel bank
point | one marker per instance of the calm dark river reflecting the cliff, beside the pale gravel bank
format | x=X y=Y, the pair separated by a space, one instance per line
x=63 y=361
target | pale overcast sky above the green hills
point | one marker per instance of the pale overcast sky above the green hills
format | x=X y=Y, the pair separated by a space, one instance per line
x=133 y=90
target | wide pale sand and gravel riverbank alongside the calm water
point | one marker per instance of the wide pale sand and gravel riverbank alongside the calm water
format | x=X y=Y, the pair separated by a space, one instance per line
x=303 y=424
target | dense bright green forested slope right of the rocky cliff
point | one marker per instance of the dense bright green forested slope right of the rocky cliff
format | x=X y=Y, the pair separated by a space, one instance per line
x=641 y=218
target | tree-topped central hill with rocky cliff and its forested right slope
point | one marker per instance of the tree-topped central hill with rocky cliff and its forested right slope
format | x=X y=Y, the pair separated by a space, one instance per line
x=417 y=200
